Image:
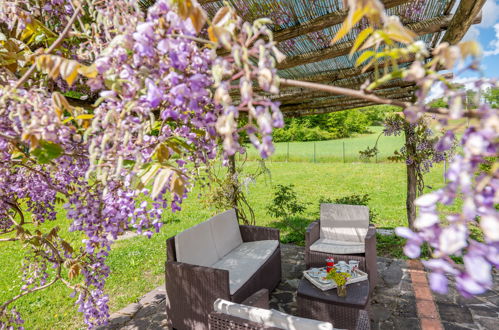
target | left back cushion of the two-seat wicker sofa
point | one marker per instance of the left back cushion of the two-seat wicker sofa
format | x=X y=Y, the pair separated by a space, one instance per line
x=196 y=246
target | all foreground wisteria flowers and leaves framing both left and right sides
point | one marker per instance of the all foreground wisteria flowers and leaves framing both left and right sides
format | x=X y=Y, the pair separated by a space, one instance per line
x=167 y=91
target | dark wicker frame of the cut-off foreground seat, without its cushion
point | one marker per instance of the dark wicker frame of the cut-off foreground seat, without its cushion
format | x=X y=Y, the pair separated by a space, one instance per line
x=224 y=321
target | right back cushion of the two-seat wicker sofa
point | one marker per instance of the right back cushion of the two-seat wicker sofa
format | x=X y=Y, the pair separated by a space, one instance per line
x=225 y=231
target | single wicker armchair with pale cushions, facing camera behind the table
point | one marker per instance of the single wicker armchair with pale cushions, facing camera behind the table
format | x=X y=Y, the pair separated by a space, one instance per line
x=343 y=232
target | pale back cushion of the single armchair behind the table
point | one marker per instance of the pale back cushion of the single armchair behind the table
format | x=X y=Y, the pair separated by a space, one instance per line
x=341 y=222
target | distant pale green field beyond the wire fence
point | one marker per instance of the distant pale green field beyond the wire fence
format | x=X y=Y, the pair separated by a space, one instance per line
x=332 y=150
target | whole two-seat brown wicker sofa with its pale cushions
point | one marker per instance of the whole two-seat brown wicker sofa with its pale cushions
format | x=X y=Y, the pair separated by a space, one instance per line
x=215 y=259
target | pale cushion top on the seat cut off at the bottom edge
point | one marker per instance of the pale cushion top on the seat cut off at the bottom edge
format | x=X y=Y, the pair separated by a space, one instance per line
x=269 y=318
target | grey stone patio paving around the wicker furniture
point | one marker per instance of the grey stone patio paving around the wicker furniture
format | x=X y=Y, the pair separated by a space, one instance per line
x=393 y=305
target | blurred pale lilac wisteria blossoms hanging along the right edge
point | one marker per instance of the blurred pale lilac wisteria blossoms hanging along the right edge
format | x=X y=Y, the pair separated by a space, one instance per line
x=449 y=234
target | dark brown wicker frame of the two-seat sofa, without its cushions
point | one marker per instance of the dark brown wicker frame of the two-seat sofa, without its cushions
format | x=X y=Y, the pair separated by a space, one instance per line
x=192 y=289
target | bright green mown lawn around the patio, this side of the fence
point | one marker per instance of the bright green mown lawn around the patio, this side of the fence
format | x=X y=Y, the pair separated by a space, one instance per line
x=137 y=264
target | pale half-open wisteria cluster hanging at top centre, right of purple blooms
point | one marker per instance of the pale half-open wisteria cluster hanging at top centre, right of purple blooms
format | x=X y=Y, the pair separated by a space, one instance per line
x=251 y=59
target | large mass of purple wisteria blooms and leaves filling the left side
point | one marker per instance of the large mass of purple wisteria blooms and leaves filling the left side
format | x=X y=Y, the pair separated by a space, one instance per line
x=161 y=113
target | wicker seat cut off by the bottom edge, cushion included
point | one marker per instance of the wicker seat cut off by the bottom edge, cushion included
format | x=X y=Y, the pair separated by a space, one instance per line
x=253 y=314
